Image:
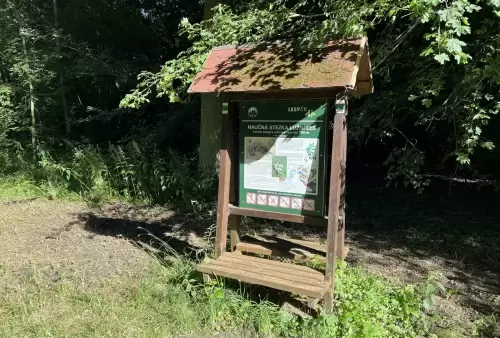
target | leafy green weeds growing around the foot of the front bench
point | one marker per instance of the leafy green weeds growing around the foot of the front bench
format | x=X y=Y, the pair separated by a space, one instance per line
x=366 y=306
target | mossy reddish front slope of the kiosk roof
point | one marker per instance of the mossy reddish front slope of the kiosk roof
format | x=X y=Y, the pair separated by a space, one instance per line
x=277 y=67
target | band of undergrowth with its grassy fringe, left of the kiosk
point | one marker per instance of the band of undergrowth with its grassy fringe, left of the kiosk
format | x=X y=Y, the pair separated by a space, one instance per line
x=130 y=172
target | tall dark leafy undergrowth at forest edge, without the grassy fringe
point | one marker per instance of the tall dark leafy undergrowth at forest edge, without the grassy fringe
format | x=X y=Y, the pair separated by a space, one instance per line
x=129 y=172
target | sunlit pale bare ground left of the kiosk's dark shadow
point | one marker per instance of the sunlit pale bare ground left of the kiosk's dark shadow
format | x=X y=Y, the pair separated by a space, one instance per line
x=49 y=235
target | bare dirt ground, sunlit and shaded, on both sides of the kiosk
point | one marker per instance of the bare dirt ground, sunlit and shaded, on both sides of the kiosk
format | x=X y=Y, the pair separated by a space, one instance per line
x=393 y=233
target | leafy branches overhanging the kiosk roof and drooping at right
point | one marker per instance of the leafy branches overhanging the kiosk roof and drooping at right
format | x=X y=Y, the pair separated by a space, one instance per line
x=420 y=38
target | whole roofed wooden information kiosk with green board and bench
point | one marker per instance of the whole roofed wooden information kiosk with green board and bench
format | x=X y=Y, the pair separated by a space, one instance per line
x=280 y=158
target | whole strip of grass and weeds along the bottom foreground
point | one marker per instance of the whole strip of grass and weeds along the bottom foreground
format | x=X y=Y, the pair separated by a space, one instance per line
x=171 y=301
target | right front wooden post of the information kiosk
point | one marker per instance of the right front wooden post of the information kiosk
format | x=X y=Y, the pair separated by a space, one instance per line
x=333 y=207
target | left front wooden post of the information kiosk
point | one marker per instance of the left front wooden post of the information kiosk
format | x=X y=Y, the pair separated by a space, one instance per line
x=224 y=182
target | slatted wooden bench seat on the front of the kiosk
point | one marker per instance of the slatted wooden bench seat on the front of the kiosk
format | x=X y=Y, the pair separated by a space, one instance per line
x=289 y=277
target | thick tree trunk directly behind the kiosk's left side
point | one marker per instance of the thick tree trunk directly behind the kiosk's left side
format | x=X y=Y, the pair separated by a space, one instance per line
x=210 y=118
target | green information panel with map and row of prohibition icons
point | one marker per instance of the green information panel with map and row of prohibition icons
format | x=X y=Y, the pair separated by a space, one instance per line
x=282 y=160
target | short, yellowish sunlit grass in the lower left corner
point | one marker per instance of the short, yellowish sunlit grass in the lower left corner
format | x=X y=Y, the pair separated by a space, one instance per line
x=122 y=307
